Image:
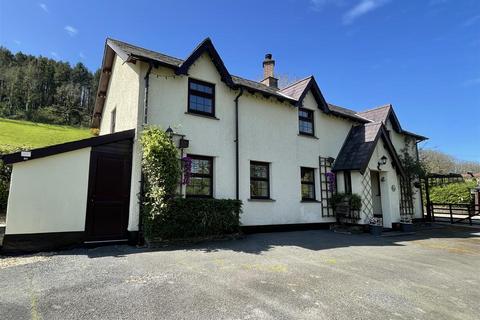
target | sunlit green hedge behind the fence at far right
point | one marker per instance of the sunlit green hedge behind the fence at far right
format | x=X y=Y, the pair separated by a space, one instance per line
x=452 y=193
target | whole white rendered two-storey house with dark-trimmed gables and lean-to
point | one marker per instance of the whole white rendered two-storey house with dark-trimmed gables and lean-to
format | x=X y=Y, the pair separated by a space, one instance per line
x=273 y=148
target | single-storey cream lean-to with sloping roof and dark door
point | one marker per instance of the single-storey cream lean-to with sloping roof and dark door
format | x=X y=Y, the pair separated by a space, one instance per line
x=70 y=193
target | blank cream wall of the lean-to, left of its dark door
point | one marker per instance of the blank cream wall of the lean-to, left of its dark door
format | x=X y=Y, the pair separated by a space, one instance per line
x=49 y=194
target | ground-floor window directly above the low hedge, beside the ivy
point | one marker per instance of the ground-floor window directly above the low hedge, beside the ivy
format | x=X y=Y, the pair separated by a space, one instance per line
x=201 y=178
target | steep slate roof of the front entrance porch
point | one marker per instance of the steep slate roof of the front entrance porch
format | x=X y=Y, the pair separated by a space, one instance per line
x=359 y=146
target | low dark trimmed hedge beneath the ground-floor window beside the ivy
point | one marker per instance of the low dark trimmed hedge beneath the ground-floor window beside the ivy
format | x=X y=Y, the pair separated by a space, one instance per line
x=193 y=218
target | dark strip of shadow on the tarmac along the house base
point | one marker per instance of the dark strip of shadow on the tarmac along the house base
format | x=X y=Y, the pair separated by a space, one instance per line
x=314 y=240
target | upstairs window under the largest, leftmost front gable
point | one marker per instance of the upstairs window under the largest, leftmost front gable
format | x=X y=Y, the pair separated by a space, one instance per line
x=201 y=97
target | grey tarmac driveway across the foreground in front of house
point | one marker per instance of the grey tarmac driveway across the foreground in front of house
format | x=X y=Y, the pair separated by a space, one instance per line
x=434 y=274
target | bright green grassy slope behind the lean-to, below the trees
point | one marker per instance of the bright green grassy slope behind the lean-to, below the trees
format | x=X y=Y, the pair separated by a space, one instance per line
x=15 y=133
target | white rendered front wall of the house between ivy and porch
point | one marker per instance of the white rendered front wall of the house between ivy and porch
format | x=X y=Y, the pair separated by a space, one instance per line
x=268 y=132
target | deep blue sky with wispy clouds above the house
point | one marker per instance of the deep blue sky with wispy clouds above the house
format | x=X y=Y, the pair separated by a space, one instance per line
x=421 y=56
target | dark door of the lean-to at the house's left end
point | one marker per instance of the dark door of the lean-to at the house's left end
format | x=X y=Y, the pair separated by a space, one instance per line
x=109 y=192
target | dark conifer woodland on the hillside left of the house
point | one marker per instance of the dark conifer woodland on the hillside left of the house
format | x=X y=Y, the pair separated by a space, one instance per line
x=42 y=89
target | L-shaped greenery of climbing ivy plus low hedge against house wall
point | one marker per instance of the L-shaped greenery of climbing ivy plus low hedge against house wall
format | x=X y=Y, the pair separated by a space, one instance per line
x=165 y=214
